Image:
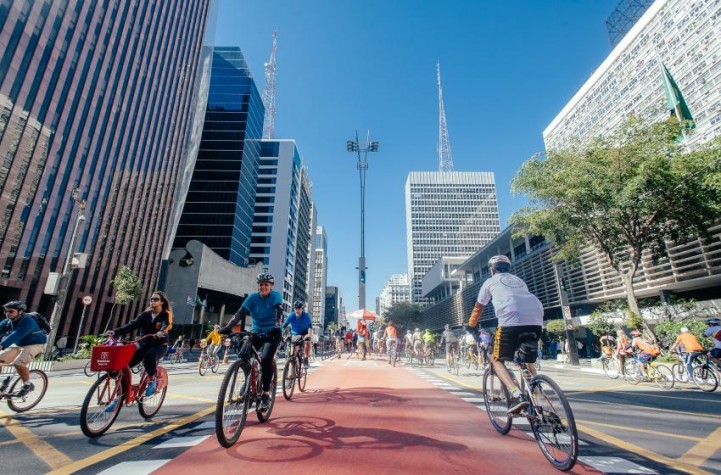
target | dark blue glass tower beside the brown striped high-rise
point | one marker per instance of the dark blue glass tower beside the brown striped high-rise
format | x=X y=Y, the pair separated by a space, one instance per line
x=218 y=208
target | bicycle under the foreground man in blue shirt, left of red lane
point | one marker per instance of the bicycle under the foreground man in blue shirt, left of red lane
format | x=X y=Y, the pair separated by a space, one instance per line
x=240 y=388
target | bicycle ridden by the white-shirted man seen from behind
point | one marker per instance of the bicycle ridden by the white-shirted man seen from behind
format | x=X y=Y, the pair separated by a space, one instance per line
x=549 y=413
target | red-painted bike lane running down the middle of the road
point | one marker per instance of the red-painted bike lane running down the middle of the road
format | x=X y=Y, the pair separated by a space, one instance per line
x=368 y=417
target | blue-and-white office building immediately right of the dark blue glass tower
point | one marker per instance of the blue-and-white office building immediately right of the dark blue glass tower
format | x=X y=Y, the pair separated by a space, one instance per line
x=282 y=211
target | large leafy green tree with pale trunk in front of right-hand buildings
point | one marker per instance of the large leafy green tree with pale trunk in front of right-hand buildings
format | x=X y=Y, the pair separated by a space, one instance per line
x=632 y=192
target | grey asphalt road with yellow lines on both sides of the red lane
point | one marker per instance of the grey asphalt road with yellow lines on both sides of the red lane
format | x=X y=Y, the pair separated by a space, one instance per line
x=624 y=428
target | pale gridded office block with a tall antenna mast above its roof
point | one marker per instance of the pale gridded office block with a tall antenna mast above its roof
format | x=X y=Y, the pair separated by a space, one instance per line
x=448 y=214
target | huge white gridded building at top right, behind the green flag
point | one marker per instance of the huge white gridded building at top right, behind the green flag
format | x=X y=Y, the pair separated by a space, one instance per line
x=683 y=35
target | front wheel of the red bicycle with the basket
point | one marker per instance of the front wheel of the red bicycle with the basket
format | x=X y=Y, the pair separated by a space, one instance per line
x=102 y=404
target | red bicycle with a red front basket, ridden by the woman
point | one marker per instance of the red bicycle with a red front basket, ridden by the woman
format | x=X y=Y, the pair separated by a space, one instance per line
x=114 y=388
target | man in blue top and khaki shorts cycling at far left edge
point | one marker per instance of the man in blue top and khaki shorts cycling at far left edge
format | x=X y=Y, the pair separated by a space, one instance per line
x=22 y=344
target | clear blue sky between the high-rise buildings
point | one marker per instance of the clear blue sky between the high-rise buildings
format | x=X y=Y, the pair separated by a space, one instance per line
x=508 y=67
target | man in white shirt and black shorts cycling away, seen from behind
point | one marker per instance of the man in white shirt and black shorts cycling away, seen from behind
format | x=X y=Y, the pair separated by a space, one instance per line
x=518 y=312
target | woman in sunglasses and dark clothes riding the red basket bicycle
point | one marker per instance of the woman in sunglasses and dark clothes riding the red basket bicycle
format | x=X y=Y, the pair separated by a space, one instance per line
x=156 y=320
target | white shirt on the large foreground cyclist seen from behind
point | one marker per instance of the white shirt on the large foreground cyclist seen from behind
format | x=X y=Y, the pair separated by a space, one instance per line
x=514 y=305
